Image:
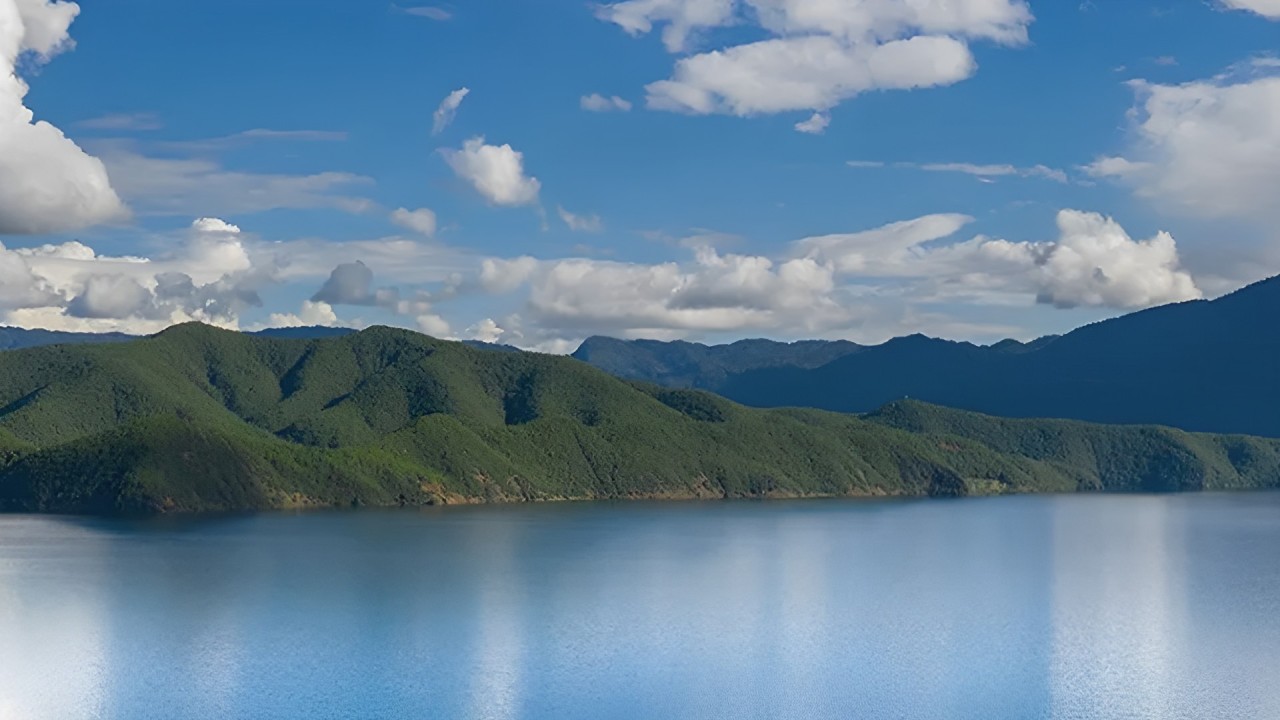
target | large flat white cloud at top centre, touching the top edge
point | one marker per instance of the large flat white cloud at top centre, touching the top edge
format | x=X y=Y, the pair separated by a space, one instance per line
x=821 y=53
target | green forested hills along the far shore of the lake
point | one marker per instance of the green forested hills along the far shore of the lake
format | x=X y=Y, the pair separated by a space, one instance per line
x=199 y=420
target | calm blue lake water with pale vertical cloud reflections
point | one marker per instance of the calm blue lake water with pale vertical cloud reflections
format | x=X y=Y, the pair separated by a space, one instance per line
x=1091 y=608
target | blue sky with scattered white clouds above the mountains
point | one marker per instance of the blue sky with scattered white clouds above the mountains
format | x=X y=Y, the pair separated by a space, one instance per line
x=534 y=174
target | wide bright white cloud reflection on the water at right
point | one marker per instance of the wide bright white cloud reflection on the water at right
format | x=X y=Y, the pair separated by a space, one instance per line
x=1119 y=610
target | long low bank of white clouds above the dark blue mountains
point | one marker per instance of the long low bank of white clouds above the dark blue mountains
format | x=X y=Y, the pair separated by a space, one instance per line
x=840 y=282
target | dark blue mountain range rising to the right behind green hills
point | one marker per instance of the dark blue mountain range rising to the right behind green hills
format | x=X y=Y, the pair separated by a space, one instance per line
x=1203 y=366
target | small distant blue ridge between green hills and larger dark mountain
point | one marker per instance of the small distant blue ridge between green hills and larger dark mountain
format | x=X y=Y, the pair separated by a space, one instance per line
x=694 y=366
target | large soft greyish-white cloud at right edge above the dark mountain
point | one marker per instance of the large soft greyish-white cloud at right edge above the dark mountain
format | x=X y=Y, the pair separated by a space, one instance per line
x=1209 y=148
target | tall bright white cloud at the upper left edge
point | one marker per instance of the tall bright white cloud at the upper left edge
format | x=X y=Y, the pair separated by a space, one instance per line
x=48 y=184
